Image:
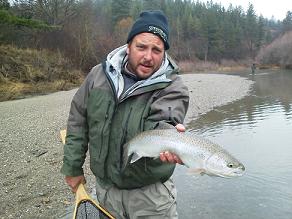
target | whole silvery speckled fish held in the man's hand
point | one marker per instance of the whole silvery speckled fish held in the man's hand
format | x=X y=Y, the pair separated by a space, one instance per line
x=197 y=153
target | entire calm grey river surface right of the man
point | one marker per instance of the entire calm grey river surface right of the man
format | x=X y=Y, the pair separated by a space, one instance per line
x=258 y=131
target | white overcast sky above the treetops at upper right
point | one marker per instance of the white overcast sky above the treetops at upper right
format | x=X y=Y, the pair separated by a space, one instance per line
x=268 y=8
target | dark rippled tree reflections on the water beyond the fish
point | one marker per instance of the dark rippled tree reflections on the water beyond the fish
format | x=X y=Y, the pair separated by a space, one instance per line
x=272 y=93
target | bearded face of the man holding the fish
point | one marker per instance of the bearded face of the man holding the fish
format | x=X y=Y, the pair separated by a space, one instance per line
x=146 y=53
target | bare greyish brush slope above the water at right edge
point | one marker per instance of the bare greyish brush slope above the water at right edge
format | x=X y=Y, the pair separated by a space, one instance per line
x=278 y=52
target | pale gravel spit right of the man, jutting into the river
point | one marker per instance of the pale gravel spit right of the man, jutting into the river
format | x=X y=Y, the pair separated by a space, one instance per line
x=208 y=91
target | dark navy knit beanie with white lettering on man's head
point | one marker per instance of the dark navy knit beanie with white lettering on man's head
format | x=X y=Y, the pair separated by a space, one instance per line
x=151 y=22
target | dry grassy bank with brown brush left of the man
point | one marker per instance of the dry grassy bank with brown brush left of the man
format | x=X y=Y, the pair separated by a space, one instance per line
x=25 y=72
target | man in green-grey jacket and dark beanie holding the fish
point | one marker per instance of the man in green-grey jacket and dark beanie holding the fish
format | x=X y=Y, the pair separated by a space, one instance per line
x=135 y=89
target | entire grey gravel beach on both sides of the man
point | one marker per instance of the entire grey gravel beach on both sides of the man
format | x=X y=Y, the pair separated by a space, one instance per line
x=31 y=151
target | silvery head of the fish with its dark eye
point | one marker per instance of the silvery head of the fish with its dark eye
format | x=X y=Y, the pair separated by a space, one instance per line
x=224 y=165
